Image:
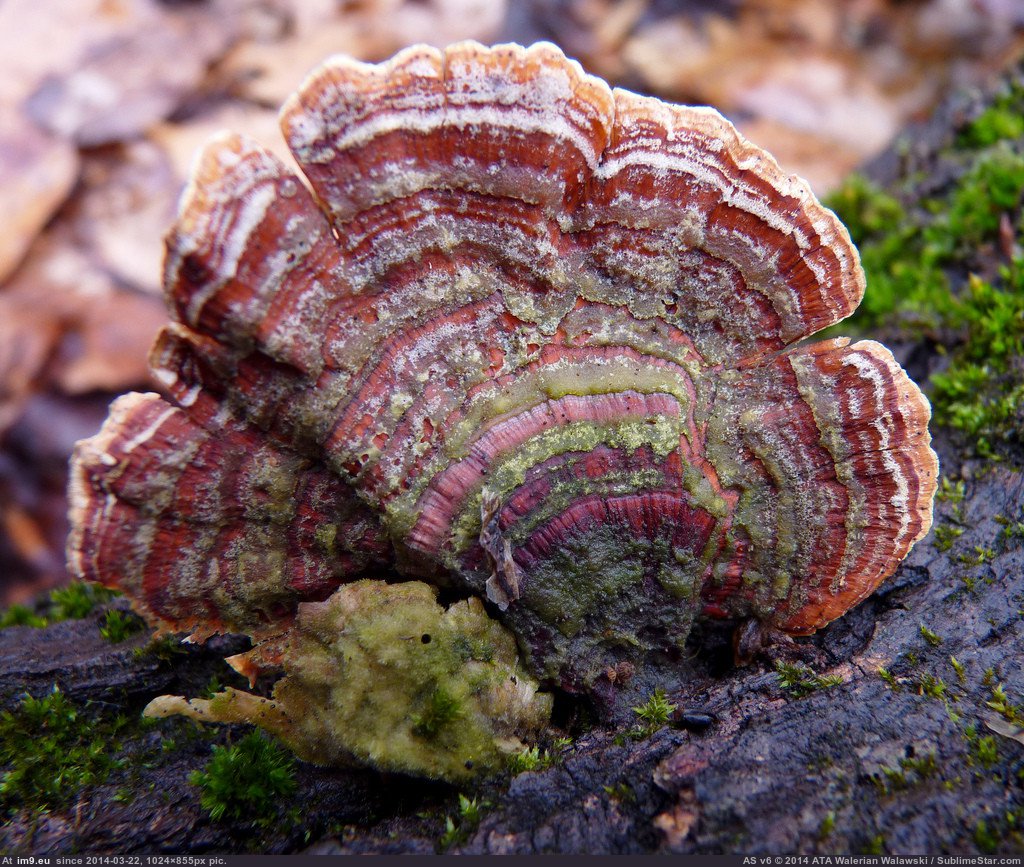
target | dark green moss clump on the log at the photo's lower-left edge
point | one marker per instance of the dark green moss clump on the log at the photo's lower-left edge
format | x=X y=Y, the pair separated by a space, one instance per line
x=52 y=749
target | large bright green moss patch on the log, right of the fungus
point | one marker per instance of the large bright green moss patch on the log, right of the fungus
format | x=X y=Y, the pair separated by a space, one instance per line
x=919 y=261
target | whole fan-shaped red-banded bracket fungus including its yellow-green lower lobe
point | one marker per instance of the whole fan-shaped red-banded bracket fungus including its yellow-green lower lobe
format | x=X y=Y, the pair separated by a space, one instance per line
x=516 y=335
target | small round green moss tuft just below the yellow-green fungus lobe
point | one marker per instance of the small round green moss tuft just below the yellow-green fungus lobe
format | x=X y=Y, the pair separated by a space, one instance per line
x=247 y=782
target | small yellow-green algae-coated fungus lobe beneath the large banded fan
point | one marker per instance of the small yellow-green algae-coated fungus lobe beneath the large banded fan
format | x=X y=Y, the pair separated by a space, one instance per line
x=383 y=675
